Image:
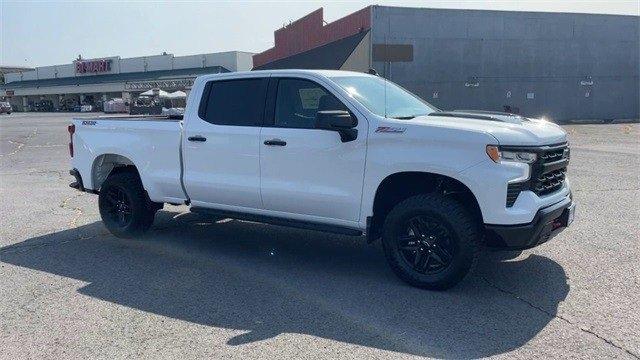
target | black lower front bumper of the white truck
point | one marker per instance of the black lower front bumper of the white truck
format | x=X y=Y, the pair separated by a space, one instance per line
x=548 y=222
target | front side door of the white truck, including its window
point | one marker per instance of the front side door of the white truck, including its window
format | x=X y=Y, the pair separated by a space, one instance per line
x=306 y=171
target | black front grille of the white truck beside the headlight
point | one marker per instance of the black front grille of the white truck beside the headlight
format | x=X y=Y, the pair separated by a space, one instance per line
x=548 y=172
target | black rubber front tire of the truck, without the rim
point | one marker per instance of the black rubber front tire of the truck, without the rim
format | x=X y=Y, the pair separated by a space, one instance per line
x=464 y=238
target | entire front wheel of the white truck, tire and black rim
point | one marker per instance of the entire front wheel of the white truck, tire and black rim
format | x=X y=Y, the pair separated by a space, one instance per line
x=430 y=241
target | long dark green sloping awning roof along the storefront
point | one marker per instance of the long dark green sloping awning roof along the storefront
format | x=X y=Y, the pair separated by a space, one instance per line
x=114 y=78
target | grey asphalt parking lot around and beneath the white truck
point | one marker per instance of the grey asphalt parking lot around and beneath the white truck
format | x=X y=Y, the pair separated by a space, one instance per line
x=232 y=289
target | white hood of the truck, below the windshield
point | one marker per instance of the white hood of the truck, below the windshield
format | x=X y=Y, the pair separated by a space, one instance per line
x=508 y=129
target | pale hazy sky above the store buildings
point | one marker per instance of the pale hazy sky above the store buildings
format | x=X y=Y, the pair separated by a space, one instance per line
x=39 y=33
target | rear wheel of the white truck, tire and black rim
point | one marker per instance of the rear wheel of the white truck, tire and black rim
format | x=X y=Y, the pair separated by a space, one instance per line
x=125 y=209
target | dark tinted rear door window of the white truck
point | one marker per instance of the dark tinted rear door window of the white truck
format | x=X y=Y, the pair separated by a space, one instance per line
x=236 y=102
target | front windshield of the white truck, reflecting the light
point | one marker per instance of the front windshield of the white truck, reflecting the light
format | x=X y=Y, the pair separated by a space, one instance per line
x=383 y=97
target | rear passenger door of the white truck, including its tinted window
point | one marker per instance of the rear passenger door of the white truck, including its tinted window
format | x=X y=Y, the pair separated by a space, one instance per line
x=221 y=145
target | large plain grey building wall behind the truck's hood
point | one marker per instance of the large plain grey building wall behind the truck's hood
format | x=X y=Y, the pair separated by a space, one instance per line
x=564 y=66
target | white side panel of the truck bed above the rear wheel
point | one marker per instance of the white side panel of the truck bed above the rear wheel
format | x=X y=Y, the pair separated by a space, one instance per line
x=152 y=143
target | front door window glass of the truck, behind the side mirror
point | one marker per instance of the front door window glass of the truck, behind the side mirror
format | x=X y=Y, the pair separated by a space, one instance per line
x=298 y=102
